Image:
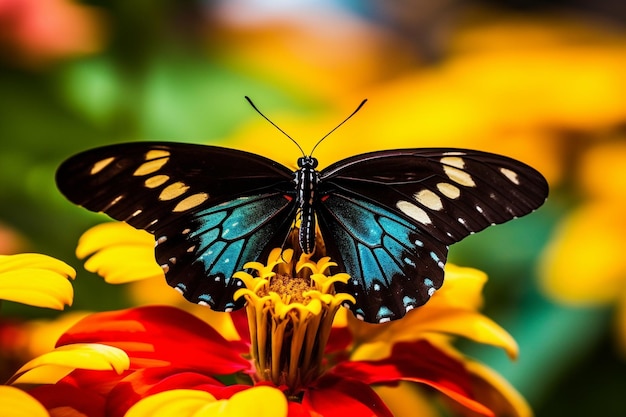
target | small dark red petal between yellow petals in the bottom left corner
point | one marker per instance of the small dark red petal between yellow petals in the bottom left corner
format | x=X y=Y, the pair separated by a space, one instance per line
x=65 y=396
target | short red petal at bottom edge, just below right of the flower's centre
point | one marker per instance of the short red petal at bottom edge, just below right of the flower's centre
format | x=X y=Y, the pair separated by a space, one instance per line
x=334 y=396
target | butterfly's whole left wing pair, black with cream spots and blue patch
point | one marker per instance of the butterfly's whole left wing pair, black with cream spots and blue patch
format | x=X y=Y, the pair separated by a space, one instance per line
x=211 y=209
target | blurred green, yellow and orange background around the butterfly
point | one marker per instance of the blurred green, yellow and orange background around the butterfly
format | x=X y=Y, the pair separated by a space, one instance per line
x=543 y=81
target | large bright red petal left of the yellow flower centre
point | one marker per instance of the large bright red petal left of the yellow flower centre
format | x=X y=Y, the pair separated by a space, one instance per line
x=159 y=336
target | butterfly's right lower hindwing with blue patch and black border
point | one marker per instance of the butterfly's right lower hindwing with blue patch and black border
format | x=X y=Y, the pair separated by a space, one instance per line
x=393 y=266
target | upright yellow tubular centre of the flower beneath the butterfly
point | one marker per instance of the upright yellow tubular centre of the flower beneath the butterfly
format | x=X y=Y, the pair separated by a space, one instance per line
x=290 y=313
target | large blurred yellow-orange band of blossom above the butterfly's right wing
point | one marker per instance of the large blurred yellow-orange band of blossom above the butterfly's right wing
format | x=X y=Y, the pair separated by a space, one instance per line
x=517 y=87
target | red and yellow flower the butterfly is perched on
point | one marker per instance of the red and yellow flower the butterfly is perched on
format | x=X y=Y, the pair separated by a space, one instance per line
x=281 y=361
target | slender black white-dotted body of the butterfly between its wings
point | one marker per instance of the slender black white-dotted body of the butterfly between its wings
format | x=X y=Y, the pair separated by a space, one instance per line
x=306 y=179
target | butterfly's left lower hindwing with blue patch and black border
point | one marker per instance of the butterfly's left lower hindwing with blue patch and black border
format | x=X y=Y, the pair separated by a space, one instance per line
x=200 y=255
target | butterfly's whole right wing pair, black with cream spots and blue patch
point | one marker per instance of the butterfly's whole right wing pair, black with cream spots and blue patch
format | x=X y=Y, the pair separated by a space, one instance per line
x=401 y=209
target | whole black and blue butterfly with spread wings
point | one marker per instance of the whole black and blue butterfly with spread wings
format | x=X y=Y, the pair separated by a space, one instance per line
x=386 y=218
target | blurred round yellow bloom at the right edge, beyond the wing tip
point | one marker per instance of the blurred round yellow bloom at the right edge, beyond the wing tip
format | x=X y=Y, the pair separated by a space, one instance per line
x=585 y=264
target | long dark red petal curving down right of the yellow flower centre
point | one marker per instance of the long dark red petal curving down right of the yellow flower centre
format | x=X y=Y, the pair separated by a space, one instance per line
x=417 y=362
